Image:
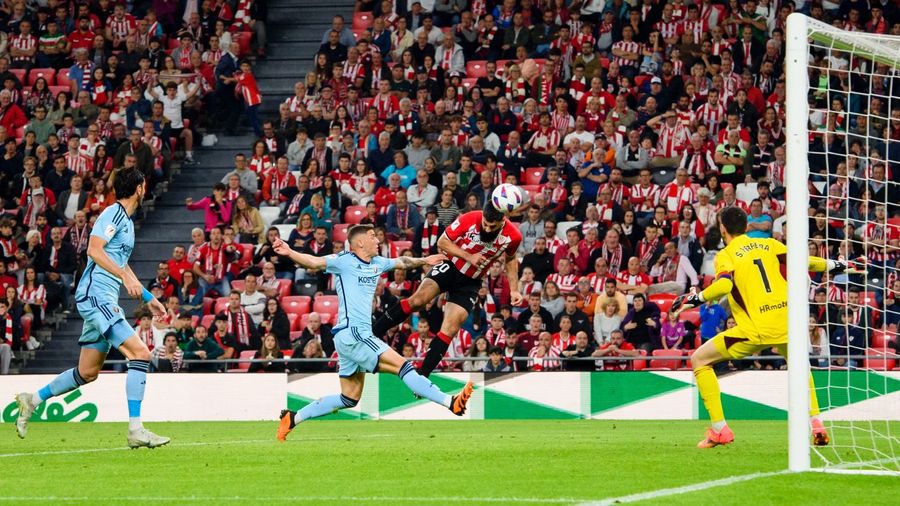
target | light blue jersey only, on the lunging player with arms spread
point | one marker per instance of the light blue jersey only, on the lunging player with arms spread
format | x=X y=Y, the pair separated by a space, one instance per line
x=355 y=284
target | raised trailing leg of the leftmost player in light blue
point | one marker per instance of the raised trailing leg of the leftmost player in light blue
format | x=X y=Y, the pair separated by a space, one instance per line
x=93 y=353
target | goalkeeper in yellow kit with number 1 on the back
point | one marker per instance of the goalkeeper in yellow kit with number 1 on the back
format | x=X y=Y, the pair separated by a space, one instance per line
x=748 y=270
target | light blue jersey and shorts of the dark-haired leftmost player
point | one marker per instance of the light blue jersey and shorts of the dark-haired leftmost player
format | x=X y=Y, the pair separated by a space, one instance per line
x=97 y=296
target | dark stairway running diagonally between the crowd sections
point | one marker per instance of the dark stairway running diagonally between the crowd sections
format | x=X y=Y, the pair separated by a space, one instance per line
x=295 y=31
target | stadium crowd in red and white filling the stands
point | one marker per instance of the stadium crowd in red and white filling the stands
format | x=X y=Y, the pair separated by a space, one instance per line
x=629 y=125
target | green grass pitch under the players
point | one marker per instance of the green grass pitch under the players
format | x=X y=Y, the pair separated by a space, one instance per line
x=410 y=463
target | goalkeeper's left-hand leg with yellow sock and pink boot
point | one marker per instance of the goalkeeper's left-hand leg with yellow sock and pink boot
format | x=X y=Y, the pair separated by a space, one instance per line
x=727 y=345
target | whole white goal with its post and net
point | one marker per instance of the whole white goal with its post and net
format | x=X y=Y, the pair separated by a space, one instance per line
x=843 y=121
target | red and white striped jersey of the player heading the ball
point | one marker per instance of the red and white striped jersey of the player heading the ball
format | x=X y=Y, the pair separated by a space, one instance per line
x=465 y=232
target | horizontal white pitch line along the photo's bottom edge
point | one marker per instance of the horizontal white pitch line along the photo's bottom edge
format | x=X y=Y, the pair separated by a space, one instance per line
x=258 y=499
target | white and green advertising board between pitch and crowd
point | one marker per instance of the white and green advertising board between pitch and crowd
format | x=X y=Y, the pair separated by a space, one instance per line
x=657 y=395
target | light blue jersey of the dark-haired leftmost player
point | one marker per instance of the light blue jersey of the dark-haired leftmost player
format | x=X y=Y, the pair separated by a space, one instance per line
x=116 y=228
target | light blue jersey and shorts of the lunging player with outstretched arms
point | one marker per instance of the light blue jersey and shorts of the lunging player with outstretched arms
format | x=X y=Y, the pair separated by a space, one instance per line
x=355 y=282
